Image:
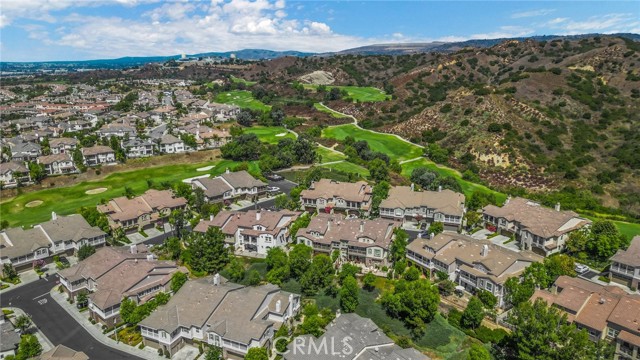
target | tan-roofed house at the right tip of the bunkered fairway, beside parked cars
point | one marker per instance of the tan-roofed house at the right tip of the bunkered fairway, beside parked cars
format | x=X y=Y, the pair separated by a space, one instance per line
x=231 y=186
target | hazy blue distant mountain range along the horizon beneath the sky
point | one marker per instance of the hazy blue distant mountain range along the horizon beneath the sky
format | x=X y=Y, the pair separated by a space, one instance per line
x=260 y=54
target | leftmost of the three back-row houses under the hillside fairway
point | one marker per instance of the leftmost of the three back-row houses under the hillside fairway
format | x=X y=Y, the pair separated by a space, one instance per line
x=330 y=195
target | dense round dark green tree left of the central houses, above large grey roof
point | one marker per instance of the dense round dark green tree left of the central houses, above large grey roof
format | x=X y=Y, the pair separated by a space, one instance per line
x=207 y=252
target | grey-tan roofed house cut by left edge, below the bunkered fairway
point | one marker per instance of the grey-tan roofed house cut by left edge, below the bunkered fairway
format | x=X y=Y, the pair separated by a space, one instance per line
x=60 y=235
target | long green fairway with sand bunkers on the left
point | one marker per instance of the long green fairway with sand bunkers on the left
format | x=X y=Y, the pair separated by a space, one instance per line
x=67 y=200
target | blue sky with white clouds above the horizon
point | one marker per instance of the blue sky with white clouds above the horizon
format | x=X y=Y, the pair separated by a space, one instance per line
x=41 y=30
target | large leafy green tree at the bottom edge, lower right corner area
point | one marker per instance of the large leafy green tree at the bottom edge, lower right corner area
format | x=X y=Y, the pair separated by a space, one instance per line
x=541 y=332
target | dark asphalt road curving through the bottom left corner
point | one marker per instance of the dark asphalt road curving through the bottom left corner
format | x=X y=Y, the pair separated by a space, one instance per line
x=56 y=324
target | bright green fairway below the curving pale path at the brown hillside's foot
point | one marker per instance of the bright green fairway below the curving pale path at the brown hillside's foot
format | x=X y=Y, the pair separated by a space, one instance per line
x=396 y=149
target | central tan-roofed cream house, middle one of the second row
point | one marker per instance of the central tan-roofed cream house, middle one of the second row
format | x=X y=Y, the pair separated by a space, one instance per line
x=358 y=240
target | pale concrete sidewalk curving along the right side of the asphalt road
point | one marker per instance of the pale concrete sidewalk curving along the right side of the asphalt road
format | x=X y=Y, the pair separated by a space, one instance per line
x=95 y=330
